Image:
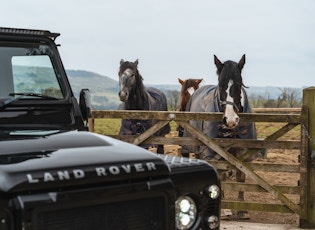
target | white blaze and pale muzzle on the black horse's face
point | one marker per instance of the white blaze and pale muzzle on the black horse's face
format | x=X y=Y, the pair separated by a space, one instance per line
x=230 y=115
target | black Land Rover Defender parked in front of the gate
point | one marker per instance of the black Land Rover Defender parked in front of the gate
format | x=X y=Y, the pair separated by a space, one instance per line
x=54 y=174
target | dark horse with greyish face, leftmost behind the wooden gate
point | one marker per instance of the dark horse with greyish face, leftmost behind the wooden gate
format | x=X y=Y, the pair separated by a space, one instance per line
x=135 y=96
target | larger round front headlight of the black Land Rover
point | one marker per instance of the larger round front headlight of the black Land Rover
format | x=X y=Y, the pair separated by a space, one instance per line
x=186 y=212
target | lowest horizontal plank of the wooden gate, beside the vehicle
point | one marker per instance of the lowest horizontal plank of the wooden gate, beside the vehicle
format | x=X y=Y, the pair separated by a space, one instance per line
x=238 y=205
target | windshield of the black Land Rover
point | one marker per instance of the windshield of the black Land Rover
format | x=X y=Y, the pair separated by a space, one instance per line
x=27 y=70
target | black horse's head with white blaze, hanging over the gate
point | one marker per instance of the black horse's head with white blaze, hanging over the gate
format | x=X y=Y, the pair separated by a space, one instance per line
x=229 y=91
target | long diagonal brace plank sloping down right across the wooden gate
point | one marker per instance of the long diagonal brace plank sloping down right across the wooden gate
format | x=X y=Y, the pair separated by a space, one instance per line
x=242 y=167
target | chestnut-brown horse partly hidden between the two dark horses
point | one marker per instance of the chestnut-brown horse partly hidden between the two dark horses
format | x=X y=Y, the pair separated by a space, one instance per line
x=189 y=86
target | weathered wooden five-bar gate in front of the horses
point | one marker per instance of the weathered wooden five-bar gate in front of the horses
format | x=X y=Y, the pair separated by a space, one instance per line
x=305 y=189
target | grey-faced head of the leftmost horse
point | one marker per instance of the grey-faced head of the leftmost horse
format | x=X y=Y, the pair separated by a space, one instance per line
x=129 y=79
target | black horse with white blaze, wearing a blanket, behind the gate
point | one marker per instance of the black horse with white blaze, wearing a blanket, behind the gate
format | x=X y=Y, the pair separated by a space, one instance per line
x=228 y=97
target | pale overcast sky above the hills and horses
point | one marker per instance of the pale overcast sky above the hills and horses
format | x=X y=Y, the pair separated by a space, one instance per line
x=178 y=38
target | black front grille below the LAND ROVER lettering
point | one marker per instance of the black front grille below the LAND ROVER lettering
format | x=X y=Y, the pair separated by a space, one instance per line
x=135 y=214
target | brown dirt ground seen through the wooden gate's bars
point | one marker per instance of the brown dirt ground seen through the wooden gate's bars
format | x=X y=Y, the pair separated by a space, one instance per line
x=274 y=178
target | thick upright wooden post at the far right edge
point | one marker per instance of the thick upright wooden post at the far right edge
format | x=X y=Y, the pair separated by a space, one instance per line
x=308 y=221
